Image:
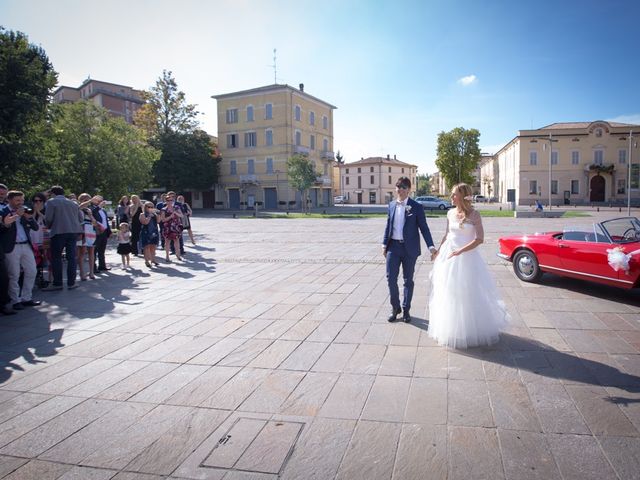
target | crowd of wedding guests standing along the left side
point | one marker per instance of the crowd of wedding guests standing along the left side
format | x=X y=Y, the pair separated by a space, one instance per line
x=32 y=237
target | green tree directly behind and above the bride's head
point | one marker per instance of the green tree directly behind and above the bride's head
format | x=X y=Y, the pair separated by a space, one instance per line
x=458 y=155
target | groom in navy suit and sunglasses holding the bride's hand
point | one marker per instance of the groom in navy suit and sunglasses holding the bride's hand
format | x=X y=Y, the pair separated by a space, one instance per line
x=401 y=246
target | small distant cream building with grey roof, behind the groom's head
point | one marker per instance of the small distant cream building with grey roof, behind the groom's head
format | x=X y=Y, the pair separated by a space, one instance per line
x=373 y=180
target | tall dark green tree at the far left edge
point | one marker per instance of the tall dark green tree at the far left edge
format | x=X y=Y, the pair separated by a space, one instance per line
x=27 y=78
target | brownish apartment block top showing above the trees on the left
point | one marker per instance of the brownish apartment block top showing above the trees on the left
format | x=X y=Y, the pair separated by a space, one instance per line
x=119 y=100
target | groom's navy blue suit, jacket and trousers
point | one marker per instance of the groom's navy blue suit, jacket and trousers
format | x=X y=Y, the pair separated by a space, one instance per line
x=404 y=252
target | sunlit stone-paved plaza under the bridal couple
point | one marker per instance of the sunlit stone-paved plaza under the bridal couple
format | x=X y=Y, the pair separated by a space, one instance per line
x=266 y=354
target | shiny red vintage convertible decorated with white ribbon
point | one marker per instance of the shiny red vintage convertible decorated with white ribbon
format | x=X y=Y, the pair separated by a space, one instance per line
x=584 y=253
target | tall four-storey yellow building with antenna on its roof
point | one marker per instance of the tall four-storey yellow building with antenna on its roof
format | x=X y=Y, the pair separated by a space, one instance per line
x=258 y=130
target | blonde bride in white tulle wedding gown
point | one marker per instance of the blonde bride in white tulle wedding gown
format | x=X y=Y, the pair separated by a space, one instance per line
x=464 y=306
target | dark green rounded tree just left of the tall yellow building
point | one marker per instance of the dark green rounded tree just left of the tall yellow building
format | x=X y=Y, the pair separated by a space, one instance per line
x=188 y=161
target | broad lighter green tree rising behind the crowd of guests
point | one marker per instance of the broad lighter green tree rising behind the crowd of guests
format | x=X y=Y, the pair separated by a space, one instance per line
x=99 y=153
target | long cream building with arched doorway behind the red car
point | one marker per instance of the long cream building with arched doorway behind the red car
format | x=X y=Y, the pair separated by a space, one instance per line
x=588 y=163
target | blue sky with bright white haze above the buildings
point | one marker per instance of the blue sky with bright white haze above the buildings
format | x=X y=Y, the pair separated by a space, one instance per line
x=399 y=71
